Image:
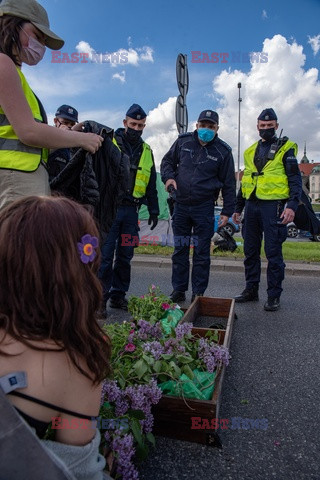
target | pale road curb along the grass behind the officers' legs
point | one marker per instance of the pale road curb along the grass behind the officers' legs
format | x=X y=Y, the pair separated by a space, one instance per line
x=223 y=264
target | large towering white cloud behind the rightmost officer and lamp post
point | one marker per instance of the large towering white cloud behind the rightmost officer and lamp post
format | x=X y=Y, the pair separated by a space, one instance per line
x=281 y=83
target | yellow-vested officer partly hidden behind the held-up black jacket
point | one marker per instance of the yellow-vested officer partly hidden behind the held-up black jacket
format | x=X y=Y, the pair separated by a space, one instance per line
x=124 y=233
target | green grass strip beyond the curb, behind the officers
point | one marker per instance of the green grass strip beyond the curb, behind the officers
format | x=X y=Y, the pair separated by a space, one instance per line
x=300 y=251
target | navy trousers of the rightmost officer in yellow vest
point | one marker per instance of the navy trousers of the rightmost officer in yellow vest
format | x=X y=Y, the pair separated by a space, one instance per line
x=262 y=218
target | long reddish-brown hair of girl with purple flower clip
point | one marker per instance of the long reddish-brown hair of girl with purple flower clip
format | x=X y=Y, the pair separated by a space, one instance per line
x=46 y=291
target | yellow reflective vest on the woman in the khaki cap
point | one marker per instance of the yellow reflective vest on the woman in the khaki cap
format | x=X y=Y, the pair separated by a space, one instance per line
x=15 y=155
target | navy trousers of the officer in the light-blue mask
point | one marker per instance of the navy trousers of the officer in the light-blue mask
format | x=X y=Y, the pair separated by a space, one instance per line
x=196 y=221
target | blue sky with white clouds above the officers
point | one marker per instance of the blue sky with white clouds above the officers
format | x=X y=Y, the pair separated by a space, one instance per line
x=153 y=33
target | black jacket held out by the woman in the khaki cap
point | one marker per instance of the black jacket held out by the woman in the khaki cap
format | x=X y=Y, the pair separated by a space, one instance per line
x=99 y=179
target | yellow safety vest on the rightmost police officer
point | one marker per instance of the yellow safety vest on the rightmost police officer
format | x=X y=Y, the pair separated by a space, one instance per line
x=272 y=183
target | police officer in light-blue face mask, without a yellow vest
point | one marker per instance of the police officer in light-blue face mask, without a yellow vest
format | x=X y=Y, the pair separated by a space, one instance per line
x=197 y=167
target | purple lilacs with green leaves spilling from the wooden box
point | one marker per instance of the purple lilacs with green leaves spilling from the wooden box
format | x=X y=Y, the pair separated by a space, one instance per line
x=145 y=355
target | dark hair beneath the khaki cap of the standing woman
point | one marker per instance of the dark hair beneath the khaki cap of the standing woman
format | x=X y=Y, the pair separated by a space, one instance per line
x=10 y=36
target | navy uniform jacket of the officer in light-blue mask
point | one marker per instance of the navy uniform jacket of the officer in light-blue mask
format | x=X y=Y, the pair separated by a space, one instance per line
x=201 y=171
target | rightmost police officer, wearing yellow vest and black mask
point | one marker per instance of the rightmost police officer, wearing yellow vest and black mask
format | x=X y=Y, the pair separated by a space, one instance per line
x=270 y=191
